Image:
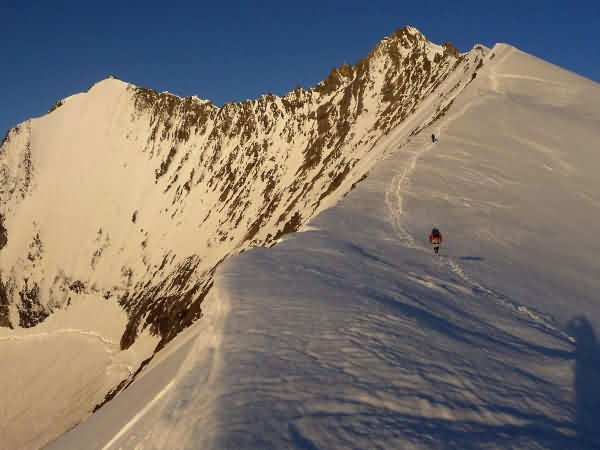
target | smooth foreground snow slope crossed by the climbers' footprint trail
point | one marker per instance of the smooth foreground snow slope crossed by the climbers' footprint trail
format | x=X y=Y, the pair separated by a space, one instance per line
x=354 y=335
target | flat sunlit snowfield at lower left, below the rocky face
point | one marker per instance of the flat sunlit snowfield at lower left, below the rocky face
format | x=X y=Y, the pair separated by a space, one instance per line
x=55 y=371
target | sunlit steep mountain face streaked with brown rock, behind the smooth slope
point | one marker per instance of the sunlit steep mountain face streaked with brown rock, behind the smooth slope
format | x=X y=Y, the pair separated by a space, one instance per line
x=132 y=197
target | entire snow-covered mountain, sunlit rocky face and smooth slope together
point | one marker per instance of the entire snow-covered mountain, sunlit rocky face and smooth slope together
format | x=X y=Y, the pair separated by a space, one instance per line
x=124 y=213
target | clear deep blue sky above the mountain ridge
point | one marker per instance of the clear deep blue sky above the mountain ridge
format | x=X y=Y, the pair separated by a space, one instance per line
x=229 y=52
